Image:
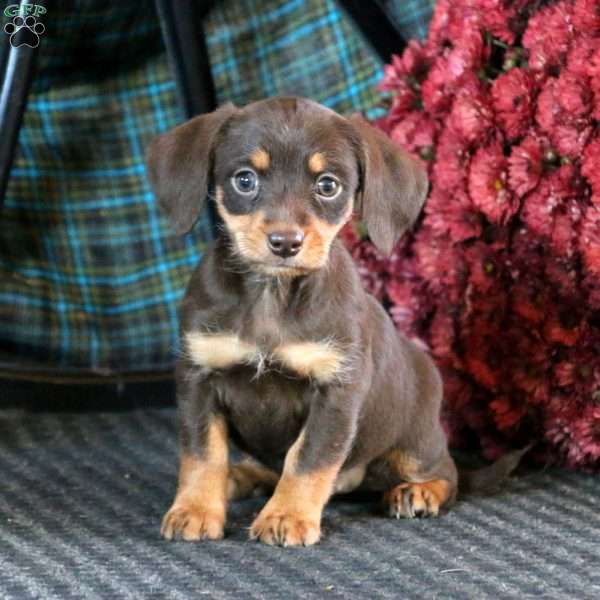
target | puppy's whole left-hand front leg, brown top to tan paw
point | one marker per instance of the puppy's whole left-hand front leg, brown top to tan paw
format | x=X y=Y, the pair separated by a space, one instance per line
x=198 y=511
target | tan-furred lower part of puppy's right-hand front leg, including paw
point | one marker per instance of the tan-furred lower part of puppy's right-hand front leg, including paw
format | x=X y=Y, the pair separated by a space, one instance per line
x=292 y=517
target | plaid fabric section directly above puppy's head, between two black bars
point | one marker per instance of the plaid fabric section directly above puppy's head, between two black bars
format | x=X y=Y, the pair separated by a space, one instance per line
x=297 y=47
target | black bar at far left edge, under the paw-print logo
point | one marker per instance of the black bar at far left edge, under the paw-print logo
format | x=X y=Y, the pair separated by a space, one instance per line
x=17 y=65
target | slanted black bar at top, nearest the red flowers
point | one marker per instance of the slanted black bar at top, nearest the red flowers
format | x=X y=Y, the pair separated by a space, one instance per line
x=375 y=24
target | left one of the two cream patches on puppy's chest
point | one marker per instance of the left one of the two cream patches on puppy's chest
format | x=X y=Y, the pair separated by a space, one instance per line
x=219 y=351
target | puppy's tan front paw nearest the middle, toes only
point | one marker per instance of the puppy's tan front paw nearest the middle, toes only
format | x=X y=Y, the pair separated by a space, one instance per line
x=285 y=529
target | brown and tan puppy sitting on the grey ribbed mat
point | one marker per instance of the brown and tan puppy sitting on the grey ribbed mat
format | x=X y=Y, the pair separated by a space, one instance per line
x=284 y=353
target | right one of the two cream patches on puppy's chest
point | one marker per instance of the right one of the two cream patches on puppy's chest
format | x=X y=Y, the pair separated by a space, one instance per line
x=320 y=361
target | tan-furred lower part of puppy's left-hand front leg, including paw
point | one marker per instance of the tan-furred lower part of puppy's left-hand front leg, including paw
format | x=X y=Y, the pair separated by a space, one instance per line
x=200 y=504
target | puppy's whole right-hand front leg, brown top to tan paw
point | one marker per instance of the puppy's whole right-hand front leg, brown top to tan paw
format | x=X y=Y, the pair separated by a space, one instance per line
x=292 y=517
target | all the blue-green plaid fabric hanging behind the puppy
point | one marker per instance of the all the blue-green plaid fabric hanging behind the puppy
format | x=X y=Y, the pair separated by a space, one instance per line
x=90 y=272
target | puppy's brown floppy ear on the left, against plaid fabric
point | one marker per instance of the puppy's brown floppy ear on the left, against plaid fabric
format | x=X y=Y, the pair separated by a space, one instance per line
x=179 y=166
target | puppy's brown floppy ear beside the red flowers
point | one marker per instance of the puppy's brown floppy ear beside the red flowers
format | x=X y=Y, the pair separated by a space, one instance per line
x=393 y=186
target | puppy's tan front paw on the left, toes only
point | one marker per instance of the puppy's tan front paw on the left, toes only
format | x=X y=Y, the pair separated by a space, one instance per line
x=191 y=523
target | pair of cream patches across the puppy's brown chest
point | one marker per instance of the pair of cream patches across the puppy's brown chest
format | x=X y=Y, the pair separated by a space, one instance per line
x=321 y=361
